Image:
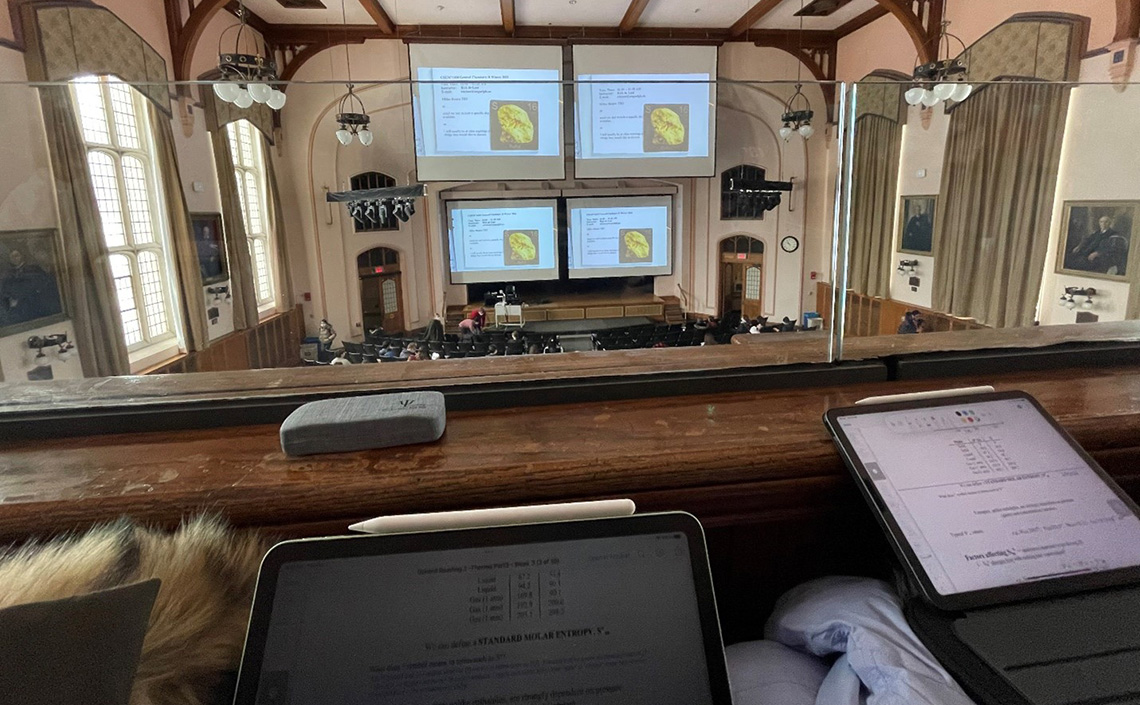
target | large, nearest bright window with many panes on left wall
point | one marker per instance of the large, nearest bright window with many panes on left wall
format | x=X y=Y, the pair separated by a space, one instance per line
x=120 y=159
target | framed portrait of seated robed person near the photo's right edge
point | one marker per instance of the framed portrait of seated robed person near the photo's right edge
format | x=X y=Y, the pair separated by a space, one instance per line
x=1097 y=239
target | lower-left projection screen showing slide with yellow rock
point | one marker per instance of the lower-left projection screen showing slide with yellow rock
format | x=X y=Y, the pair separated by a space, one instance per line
x=502 y=241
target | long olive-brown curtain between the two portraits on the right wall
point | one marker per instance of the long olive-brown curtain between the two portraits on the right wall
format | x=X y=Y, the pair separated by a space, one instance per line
x=998 y=187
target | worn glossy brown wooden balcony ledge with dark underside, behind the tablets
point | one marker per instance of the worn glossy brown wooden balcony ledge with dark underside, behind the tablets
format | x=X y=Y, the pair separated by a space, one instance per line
x=756 y=468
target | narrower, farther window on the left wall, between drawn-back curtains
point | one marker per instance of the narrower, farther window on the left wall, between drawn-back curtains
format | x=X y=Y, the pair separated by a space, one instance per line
x=250 y=173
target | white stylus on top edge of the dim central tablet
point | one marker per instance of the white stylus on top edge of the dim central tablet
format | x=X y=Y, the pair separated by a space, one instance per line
x=502 y=516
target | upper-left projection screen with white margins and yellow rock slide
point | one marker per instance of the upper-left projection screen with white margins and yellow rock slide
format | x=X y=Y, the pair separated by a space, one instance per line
x=487 y=112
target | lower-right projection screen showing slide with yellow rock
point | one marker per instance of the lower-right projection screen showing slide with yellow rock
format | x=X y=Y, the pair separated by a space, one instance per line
x=622 y=237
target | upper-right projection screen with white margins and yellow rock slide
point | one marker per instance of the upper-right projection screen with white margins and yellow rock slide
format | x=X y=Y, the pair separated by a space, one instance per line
x=641 y=111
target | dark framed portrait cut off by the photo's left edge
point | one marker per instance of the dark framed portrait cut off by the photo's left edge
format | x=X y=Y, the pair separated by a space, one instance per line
x=31 y=281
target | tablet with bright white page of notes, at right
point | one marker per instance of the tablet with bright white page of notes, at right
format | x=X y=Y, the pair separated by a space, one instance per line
x=987 y=500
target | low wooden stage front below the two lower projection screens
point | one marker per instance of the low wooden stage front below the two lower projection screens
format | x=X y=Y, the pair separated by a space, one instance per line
x=587 y=309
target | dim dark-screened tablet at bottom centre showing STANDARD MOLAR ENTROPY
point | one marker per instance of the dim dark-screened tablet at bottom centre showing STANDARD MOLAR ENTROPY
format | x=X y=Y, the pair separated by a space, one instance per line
x=600 y=611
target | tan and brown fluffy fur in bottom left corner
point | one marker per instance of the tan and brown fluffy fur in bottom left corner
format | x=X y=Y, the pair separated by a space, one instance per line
x=198 y=627
